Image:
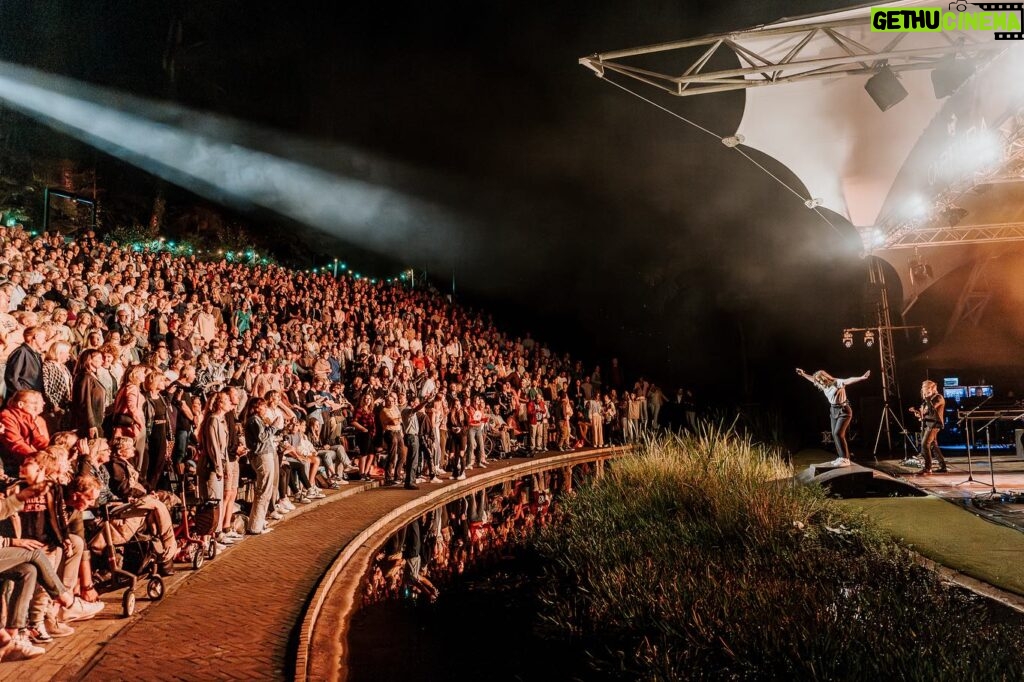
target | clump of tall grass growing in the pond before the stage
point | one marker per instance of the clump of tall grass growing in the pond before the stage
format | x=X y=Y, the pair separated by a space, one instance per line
x=697 y=559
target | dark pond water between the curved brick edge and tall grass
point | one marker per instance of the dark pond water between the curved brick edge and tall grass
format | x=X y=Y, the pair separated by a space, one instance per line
x=468 y=612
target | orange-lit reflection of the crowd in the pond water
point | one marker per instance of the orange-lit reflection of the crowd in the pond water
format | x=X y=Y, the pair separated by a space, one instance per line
x=474 y=531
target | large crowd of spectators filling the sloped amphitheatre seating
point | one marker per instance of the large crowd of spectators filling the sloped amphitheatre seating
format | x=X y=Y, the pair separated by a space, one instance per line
x=123 y=370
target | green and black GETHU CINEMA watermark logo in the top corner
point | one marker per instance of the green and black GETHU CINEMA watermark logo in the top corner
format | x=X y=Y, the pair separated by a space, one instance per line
x=1002 y=19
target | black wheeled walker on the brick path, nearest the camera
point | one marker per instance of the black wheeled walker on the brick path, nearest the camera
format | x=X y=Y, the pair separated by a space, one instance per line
x=124 y=562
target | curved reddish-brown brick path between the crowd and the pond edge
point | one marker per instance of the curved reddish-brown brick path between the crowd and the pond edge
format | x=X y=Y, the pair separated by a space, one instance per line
x=239 y=618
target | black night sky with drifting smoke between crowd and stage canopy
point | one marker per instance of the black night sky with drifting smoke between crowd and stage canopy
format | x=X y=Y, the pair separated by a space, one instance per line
x=590 y=218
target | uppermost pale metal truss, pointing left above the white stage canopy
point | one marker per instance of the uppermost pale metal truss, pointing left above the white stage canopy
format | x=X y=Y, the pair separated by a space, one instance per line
x=800 y=64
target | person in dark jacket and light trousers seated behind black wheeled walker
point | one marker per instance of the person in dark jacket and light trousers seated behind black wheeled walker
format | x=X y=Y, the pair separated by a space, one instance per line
x=139 y=507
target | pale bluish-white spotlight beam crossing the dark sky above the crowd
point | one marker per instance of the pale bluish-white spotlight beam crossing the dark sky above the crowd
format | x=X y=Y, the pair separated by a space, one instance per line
x=154 y=137
